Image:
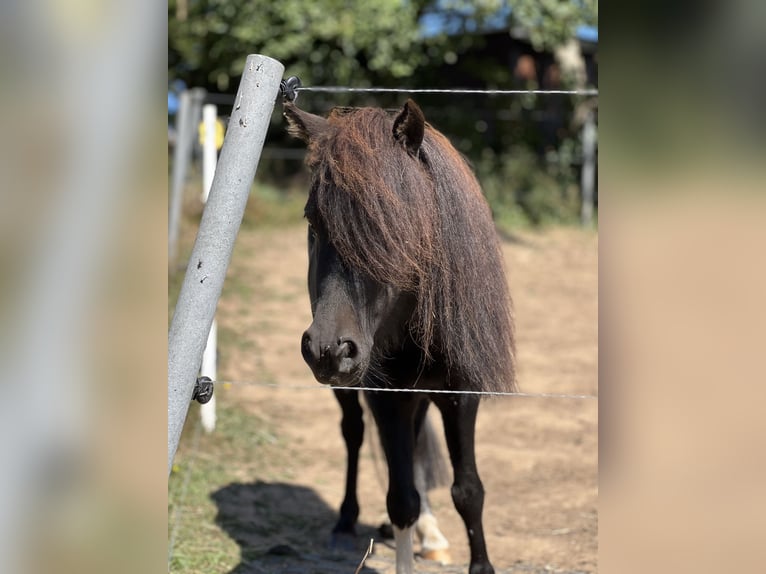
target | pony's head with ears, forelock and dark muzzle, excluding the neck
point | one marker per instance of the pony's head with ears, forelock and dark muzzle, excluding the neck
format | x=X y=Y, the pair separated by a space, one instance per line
x=361 y=278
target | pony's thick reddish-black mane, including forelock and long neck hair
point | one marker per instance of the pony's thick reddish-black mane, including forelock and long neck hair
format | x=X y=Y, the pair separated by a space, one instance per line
x=419 y=223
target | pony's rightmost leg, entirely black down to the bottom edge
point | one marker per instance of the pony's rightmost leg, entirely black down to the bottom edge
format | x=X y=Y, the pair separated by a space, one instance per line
x=459 y=414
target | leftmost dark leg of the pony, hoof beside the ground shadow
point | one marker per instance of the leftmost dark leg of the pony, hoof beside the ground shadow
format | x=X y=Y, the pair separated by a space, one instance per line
x=352 y=428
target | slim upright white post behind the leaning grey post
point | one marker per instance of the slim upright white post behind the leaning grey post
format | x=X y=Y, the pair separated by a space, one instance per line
x=209 y=359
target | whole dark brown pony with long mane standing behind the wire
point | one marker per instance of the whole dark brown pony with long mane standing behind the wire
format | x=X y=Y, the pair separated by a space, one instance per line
x=407 y=291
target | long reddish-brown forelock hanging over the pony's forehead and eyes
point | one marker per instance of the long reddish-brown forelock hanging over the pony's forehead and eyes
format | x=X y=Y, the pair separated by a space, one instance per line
x=373 y=199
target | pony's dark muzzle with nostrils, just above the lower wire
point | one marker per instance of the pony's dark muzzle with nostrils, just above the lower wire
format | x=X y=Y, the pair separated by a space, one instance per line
x=331 y=360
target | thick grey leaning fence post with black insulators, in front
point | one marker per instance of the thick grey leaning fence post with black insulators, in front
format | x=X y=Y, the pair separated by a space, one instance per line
x=205 y=273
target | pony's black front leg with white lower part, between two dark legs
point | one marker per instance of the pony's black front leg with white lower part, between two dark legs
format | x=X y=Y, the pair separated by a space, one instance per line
x=395 y=417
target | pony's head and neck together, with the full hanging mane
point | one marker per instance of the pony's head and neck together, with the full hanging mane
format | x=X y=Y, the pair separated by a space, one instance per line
x=402 y=250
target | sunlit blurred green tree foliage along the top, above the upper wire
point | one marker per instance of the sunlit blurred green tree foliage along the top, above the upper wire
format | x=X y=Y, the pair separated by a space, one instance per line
x=363 y=42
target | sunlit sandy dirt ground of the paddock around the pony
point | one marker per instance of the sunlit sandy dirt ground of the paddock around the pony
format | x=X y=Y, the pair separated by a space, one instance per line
x=538 y=457
